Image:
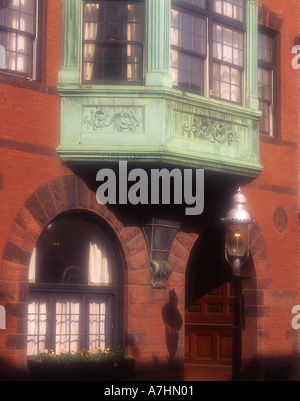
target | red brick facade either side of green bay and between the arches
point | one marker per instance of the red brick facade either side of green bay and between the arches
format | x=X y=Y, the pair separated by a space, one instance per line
x=29 y=133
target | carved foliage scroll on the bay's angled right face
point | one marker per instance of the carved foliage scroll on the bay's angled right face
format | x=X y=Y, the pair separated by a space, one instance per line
x=212 y=131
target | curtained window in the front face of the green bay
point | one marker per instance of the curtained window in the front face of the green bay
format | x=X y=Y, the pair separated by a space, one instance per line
x=113 y=36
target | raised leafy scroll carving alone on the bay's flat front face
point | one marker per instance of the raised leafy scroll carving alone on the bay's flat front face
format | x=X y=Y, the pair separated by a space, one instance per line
x=123 y=120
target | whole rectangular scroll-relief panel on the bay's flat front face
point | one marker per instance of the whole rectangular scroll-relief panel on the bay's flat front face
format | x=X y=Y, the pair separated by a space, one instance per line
x=113 y=119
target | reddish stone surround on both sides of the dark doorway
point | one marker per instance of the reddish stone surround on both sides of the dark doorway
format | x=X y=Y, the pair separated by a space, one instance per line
x=258 y=272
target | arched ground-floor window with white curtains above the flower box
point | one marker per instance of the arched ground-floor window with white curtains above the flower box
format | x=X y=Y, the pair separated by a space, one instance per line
x=74 y=291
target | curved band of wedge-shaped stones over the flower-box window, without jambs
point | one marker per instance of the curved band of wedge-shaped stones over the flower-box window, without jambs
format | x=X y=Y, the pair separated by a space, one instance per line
x=60 y=194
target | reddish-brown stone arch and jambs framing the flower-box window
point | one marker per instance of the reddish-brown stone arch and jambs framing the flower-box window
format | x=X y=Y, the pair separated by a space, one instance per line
x=58 y=195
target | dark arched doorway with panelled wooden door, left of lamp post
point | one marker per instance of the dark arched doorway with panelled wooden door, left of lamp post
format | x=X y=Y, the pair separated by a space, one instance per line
x=208 y=310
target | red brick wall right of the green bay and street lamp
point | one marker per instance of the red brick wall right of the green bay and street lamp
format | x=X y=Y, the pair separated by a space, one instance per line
x=277 y=186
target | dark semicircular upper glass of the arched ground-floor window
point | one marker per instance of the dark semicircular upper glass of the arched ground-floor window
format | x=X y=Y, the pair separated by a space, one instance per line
x=65 y=248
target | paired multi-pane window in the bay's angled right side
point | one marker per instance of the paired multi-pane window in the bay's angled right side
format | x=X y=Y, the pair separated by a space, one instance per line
x=207 y=47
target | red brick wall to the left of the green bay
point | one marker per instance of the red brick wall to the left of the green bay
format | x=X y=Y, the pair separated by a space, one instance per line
x=29 y=133
